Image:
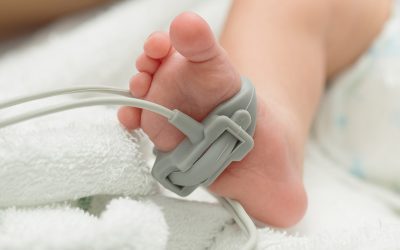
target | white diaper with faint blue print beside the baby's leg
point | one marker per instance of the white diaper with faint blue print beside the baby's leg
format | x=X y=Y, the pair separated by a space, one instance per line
x=358 y=124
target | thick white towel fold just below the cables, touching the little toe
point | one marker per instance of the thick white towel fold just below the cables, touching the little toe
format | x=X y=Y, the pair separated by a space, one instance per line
x=71 y=155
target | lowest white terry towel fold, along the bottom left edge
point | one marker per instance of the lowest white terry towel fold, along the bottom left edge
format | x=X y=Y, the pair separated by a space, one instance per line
x=124 y=224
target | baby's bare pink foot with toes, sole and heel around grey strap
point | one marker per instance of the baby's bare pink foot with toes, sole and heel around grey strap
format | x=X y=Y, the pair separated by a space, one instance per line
x=188 y=70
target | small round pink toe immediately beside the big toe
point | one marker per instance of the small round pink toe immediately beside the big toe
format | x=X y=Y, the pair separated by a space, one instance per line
x=157 y=45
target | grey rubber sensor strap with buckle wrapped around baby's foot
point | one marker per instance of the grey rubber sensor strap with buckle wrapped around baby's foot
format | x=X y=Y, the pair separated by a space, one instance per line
x=225 y=135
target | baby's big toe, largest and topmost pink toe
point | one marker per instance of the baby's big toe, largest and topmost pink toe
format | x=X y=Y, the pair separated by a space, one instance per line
x=192 y=37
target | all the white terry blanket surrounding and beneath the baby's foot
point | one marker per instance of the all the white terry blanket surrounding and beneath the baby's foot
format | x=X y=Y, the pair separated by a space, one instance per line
x=85 y=153
